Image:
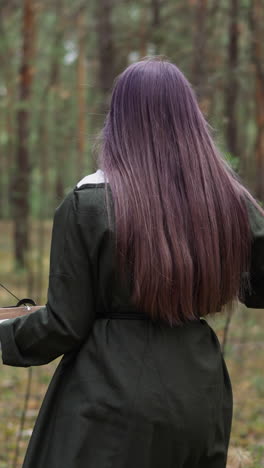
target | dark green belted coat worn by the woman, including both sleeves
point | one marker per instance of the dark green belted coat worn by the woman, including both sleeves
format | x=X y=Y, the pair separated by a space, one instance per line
x=127 y=393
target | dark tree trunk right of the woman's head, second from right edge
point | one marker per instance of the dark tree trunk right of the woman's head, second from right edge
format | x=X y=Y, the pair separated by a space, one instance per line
x=232 y=82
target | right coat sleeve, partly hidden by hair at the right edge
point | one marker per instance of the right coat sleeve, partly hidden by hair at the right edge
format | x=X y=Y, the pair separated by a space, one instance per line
x=253 y=297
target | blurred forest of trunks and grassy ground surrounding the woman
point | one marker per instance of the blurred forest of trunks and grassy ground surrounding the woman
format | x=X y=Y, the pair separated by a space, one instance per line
x=59 y=59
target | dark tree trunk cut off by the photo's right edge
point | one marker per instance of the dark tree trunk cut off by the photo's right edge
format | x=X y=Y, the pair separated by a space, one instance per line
x=257 y=31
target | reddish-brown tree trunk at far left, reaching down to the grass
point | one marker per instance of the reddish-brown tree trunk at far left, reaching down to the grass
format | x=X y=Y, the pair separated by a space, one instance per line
x=22 y=178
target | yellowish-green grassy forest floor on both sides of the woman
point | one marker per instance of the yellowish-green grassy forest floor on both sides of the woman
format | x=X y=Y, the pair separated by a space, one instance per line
x=244 y=358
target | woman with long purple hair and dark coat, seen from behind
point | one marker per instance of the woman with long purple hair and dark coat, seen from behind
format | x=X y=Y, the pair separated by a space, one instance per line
x=142 y=382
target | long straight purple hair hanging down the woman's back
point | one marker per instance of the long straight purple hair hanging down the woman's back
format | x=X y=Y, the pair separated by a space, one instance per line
x=180 y=215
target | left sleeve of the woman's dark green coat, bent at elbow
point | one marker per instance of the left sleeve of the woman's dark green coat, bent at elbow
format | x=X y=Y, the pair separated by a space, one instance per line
x=63 y=324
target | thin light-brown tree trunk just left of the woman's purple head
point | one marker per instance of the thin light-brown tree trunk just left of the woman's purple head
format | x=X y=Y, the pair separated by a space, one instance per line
x=81 y=93
